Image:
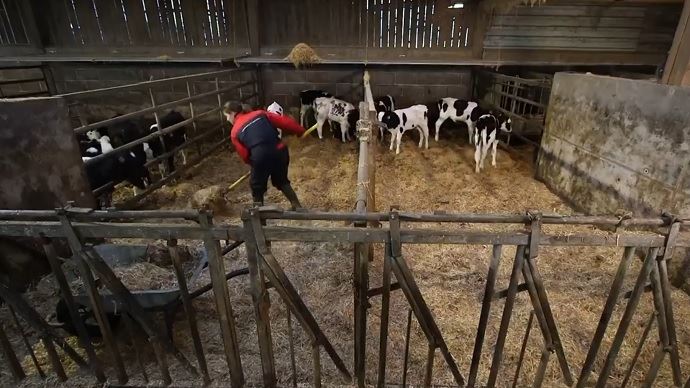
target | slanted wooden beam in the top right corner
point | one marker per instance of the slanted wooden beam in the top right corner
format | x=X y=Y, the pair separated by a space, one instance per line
x=676 y=71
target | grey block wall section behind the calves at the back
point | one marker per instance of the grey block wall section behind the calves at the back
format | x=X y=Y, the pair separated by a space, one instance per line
x=407 y=84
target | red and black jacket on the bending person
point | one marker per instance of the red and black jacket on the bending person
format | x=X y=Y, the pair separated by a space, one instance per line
x=258 y=128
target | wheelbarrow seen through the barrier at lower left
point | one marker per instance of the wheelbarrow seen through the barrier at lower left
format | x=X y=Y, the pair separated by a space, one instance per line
x=166 y=301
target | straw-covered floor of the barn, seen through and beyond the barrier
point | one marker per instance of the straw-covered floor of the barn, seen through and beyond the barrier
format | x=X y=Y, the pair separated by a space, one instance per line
x=451 y=278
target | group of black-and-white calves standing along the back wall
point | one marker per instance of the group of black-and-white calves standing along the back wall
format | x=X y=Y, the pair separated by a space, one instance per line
x=483 y=125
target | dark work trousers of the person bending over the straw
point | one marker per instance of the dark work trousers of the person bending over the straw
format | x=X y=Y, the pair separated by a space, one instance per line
x=267 y=161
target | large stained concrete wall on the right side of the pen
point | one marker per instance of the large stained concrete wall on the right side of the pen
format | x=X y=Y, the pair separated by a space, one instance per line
x=614 y=143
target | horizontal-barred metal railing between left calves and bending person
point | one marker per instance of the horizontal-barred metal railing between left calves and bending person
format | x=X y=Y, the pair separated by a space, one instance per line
x=192 y=102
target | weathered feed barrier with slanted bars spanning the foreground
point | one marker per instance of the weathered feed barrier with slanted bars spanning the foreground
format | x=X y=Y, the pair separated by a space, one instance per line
x=78 y=226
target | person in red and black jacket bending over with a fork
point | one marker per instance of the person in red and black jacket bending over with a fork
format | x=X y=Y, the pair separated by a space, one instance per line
x=255 y=136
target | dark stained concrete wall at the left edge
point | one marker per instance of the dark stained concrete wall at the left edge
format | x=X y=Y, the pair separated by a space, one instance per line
x=41 y=167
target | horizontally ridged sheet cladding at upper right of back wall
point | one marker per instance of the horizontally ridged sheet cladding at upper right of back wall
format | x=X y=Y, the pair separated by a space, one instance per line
x=644 y=28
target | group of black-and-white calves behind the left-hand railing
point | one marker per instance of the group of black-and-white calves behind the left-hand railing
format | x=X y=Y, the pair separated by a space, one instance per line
x=129 y=164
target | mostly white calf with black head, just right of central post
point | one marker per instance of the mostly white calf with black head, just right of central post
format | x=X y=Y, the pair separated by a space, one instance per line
x=401 y=120
